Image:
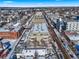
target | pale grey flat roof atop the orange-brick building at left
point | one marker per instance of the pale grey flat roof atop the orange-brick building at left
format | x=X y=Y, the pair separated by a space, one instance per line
x=10 y=27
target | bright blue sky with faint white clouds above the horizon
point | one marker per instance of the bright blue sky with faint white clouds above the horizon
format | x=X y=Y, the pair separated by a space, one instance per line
x=38 y=3
